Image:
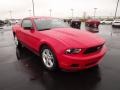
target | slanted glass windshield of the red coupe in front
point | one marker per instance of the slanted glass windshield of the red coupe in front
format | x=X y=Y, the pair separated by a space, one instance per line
x=45 y=24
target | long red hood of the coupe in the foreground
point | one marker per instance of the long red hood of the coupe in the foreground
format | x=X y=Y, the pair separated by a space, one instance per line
x=74 y=37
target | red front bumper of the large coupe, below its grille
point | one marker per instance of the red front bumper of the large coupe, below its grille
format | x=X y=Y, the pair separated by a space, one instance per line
x=81 y=62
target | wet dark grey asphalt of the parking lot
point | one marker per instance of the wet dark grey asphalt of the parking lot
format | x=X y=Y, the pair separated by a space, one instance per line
x=28 y=73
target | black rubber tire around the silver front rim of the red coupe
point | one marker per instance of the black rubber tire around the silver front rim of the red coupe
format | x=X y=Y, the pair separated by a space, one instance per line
x=55 y=64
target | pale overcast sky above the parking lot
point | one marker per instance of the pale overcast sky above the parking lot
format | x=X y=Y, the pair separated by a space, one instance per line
x=60 y=8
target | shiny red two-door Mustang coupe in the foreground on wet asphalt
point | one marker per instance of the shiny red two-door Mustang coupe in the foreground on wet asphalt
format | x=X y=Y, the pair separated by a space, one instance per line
x=59 y=45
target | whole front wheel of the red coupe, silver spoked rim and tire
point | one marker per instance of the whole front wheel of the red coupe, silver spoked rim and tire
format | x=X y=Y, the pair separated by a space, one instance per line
x=48 y=58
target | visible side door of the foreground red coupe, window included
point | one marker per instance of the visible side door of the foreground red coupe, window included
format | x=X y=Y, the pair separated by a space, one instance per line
x=29 y=37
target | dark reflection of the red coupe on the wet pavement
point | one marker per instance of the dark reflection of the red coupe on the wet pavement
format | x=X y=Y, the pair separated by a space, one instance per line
x=62 y=80
